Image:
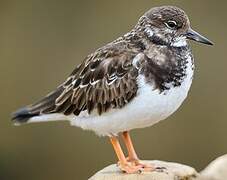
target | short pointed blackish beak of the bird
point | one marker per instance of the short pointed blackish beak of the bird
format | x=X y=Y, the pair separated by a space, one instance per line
x=193 y=35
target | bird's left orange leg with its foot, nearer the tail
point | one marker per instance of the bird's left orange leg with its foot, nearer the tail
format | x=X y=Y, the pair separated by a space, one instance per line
x=124 y=165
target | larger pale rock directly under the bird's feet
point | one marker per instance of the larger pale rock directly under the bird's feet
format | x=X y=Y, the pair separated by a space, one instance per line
x=165 y=171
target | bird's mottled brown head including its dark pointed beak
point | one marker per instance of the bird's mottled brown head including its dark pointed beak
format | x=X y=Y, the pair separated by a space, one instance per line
x=169 y=25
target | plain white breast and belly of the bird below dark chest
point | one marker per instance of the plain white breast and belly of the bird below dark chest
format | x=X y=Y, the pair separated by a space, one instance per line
x=146 y=109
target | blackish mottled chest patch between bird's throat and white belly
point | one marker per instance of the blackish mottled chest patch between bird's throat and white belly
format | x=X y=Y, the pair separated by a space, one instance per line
x=166 y=67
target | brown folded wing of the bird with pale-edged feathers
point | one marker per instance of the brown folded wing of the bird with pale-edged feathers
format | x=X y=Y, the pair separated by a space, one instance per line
x=103 y=81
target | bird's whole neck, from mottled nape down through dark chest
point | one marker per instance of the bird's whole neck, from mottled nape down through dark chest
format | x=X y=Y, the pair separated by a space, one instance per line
x=164 y=65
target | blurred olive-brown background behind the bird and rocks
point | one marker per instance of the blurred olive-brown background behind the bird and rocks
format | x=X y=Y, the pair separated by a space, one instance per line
x=41 y=41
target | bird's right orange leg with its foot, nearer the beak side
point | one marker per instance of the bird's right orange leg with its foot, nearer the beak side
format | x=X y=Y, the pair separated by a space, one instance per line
x=132 y=156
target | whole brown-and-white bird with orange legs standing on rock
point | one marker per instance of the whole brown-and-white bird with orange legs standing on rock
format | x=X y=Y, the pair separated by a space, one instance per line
x=135 y=81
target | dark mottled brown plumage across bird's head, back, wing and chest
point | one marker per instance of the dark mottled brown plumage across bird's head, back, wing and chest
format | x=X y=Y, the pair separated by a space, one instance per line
x=108 y=79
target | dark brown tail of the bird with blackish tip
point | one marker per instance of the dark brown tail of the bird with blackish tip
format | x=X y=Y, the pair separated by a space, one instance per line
x=44 y=106
